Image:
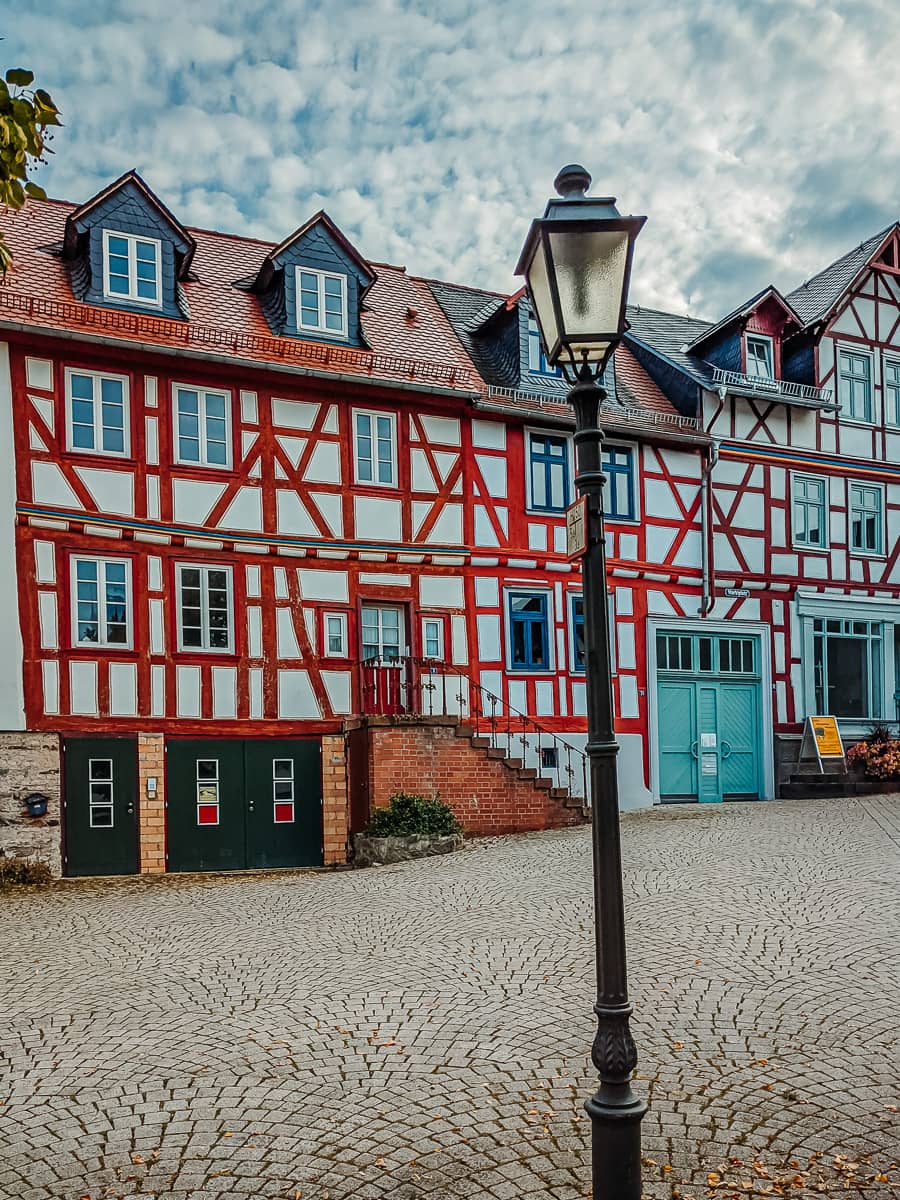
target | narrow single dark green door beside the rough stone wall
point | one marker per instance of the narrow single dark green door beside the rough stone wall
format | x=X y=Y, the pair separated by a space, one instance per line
x=101 y=795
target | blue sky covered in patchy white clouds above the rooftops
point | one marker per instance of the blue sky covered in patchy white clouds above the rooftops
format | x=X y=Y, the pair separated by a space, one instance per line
x=760 y=137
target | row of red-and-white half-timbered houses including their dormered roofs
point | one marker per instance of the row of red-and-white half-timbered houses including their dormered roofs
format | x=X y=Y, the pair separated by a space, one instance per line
x=257 y=494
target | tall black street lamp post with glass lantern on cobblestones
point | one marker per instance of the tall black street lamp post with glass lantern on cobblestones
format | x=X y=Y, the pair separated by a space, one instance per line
x=577 y=262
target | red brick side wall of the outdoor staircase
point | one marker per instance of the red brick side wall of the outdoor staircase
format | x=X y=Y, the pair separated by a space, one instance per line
x=488 y=796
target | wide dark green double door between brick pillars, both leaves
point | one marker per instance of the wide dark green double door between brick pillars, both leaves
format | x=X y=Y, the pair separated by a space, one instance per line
x=238 y=805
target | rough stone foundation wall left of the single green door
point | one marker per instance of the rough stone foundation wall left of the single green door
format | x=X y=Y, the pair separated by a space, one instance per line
x=31 y=763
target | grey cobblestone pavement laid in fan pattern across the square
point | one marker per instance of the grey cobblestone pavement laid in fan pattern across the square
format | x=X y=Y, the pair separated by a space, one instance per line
x=423 y=1030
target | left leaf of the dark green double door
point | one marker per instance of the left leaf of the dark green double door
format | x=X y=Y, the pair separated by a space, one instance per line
x=205 y=805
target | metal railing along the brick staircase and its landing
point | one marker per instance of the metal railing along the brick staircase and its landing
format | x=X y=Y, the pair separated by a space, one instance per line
x=431 y=688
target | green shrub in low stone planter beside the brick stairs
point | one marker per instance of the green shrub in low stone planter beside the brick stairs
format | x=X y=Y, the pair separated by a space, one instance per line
x=410 y=827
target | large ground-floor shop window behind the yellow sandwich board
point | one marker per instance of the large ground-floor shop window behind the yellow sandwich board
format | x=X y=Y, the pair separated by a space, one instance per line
x=848 y=668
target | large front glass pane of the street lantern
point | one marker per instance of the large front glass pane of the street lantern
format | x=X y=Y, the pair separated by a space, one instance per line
x=590 y=268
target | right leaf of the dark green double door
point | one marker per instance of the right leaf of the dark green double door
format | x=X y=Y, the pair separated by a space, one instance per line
x=284 y=803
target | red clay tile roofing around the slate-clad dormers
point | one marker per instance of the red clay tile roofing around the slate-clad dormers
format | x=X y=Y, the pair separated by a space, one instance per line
x=410 y=335
